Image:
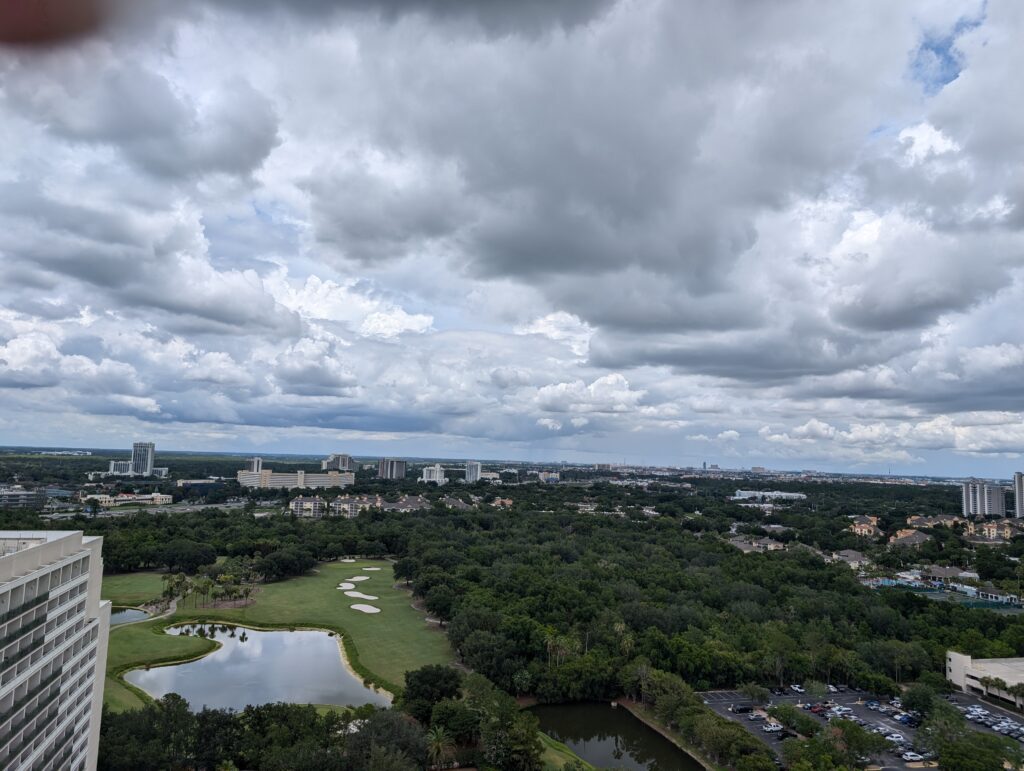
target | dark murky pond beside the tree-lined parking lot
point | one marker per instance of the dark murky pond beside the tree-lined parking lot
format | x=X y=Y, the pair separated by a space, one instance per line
x=611 y=738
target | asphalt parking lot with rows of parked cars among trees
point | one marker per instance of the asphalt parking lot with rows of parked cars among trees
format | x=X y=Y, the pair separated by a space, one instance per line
x=720 y=702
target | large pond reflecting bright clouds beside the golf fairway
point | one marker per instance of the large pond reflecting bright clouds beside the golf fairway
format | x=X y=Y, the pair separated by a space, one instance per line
x=258 y=668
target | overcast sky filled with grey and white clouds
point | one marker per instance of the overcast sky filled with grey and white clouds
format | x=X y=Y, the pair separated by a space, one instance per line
x=783 y=234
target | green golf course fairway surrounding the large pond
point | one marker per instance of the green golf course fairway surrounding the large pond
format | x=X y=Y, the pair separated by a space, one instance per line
x=388 y=644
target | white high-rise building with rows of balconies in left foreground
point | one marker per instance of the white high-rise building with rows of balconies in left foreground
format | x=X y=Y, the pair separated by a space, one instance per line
x=54 y=630
